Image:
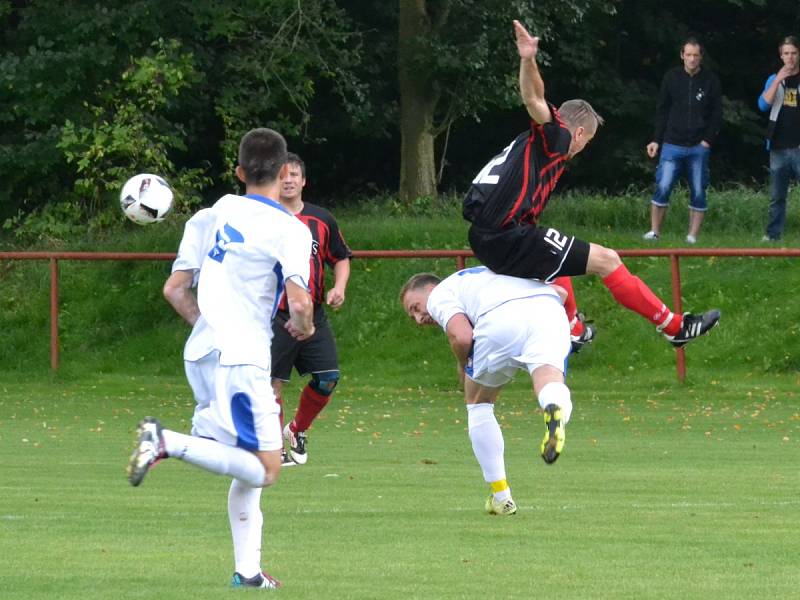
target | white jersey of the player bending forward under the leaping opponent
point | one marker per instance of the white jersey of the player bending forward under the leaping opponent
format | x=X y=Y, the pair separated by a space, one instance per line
x=478 y=290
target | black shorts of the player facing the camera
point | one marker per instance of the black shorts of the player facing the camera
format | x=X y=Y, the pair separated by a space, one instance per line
x=314 y=355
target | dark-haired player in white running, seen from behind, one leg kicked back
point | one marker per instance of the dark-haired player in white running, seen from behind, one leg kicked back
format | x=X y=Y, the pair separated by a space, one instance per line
x=258 y=251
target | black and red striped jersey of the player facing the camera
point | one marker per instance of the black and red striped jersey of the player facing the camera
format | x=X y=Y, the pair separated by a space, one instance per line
x=328 y=248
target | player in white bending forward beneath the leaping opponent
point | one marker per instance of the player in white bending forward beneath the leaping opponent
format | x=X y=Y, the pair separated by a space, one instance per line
x=497 y=325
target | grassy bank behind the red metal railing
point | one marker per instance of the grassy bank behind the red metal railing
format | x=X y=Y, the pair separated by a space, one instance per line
x=113 y=318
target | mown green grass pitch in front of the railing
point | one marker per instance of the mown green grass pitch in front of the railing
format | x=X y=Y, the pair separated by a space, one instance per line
x=664 y=491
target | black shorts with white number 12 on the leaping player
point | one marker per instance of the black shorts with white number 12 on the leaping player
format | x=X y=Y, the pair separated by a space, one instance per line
x=529 y=251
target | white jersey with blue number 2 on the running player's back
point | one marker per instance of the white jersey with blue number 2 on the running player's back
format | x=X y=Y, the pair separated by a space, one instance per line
x=258 y=246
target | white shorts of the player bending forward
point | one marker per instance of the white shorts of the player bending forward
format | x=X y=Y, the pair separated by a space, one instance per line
x=520 y=334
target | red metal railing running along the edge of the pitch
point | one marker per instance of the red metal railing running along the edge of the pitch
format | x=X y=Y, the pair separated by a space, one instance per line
x=460 y=257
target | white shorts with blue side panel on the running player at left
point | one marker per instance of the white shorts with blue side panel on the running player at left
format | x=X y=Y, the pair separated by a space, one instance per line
x=243 y=412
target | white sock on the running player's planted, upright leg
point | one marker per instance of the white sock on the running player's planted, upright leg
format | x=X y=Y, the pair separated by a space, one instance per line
x=246 y=519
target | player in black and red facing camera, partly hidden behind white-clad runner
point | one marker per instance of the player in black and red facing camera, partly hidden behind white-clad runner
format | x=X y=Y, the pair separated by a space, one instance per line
x=316 y=355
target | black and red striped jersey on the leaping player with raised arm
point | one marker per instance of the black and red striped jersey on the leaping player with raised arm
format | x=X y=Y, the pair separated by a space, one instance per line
x=515 y=185
